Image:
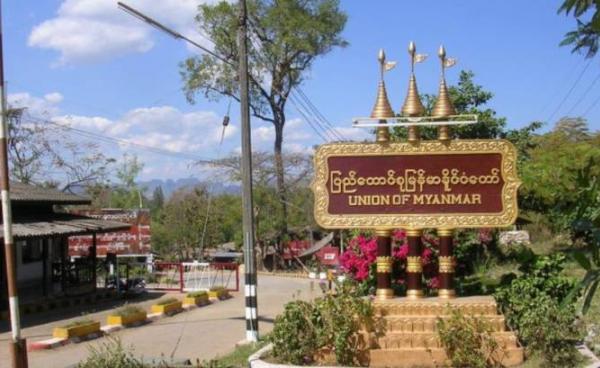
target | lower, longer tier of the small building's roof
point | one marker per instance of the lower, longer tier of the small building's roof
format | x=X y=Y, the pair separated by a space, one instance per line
x=62 y=224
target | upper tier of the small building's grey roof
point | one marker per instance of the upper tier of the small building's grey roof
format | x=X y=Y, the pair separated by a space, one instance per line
x=20 y=192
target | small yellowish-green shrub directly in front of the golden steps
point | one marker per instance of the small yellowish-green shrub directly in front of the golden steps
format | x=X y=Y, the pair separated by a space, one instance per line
x=468 y=341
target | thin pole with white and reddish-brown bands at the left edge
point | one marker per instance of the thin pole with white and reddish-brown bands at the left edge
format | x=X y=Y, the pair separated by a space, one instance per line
x=18 y=348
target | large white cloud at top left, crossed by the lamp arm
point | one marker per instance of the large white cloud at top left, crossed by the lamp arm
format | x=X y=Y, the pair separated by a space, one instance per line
x=88 y=31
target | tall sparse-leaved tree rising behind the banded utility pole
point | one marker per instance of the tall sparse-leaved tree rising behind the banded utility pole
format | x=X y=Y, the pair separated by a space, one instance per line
x=287 y=35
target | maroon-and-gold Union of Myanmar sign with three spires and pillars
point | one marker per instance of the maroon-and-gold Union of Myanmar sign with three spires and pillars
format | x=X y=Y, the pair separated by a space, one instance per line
x=442 y=184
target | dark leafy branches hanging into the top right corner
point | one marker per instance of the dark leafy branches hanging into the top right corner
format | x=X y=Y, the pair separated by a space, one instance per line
x=586 y=37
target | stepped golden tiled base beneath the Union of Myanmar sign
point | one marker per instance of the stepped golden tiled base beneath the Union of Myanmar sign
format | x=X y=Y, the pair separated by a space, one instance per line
x=411 y=339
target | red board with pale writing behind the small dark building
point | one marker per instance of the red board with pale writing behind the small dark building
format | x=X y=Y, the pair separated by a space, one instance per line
x=135 y=241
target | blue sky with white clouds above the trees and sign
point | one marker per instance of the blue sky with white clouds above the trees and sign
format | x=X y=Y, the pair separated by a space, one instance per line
x=88 y=64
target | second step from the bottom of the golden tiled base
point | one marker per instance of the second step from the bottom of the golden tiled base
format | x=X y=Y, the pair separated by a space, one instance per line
x=399 y=340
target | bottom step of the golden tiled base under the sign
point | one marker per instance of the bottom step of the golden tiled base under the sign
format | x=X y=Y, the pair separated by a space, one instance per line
x=430 y=357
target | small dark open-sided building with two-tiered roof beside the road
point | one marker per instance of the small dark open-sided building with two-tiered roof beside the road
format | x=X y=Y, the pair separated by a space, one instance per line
x=41 y=231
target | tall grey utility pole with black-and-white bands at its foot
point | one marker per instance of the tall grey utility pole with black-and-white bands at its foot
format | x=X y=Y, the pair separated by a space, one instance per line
x=248 y=208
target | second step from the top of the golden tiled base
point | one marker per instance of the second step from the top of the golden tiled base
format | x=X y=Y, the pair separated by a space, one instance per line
x=408 y=323
